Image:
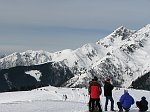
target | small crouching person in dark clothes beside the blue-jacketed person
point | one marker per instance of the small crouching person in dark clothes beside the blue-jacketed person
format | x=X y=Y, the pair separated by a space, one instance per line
x=143 y=104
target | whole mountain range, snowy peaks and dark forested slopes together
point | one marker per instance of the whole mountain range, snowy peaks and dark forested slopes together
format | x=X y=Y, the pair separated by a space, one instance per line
x=123 y=56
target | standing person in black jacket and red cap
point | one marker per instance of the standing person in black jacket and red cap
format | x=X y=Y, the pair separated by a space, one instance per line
x=108 y=87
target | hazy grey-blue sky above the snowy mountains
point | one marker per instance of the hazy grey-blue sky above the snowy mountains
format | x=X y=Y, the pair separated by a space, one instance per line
x=54 y=25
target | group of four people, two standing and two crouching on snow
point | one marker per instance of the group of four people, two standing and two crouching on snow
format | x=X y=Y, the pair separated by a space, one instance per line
x=125 y=102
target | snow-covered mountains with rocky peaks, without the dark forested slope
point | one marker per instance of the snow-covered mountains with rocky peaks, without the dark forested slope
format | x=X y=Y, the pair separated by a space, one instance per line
x=123 y=56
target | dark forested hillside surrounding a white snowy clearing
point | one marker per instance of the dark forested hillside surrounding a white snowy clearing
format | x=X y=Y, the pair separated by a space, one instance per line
x=16 y=79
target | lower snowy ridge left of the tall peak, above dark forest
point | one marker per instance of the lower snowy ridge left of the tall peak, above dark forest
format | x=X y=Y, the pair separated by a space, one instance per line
x=84 y=56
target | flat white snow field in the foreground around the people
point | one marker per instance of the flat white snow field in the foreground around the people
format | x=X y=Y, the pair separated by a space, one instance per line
x=51 y=99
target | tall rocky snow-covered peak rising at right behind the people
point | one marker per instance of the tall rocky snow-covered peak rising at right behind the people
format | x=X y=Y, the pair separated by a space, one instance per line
x=125 y=59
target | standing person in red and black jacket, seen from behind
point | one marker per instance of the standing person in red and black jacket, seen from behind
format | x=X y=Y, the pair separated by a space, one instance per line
x=94 y=92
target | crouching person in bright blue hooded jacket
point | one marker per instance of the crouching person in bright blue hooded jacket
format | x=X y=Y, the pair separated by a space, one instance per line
x=125 y=102
